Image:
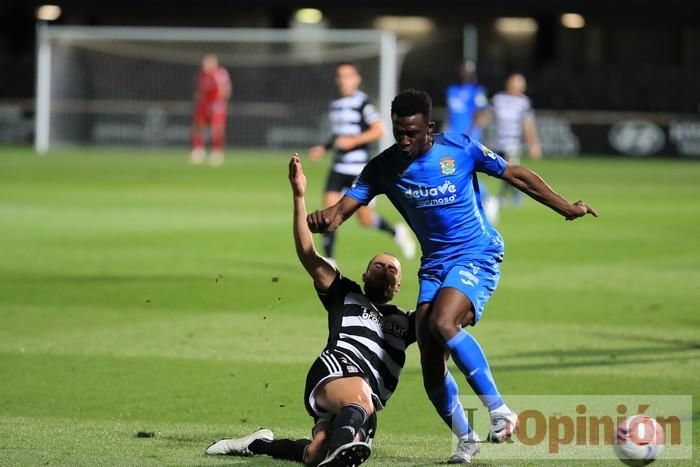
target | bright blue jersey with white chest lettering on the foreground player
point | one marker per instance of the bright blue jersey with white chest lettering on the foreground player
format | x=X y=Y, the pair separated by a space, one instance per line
x=437 y=195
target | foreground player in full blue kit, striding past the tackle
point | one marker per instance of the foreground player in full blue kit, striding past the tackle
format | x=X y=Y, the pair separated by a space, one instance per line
x=430 y=178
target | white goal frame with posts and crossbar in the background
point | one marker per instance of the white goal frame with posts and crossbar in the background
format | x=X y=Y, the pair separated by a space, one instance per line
x=388 y=57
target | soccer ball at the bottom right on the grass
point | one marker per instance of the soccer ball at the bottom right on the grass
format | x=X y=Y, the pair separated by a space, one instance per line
x=639 y=441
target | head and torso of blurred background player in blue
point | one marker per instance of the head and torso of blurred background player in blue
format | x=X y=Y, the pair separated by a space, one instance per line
x=467 y=104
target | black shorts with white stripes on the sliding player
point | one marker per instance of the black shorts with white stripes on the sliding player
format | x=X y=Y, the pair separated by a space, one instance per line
x=330 y=365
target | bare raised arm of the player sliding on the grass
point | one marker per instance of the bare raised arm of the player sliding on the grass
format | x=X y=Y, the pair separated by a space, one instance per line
x=318 y=268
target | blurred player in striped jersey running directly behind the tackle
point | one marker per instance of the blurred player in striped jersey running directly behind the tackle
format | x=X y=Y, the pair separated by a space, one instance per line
x=355 y=124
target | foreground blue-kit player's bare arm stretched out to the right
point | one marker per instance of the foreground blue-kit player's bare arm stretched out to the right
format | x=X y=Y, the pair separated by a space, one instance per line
x=532 y=185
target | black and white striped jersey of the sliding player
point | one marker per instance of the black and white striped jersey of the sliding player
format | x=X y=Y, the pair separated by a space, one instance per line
x=374 y=337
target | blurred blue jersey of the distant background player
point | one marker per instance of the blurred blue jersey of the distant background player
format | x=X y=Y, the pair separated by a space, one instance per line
x=463 y=102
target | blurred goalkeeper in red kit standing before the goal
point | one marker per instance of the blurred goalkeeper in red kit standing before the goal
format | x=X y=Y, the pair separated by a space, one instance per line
x=211 y=108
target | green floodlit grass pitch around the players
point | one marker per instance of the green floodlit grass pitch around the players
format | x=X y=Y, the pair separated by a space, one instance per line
x=138 y=294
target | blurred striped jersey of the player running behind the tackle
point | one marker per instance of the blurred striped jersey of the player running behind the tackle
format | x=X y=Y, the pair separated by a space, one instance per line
x=350 y=116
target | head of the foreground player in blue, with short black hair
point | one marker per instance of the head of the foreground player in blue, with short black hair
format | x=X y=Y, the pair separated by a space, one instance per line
x=411 y=111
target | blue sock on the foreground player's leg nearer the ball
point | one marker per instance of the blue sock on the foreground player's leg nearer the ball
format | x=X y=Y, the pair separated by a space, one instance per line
x=467 y=354
